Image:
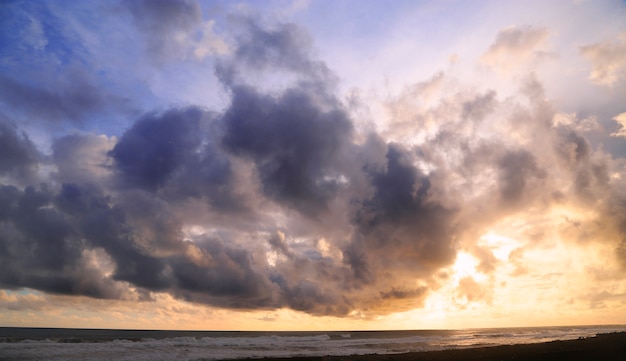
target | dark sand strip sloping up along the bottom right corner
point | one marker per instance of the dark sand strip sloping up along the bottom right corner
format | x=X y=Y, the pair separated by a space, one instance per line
x=605 y=347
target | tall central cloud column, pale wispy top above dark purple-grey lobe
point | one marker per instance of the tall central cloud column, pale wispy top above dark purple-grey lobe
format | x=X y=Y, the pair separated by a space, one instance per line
x=296 y=136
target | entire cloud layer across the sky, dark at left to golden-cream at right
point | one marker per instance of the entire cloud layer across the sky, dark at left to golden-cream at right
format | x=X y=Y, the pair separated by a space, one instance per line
x=285 y=198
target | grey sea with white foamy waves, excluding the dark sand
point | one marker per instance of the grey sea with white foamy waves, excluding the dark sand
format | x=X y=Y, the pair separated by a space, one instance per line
x=97 y=345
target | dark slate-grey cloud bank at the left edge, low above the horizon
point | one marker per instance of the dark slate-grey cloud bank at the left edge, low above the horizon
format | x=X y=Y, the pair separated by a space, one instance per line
x=40 y=248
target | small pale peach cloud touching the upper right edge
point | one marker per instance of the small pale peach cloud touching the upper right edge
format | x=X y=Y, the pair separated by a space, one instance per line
x=607 y=60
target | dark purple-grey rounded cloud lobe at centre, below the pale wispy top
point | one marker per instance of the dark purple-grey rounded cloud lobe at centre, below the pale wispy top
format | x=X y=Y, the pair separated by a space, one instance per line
x=292 y=142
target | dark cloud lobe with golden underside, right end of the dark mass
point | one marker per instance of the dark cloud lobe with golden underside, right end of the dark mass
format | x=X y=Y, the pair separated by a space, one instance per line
x=400 y=231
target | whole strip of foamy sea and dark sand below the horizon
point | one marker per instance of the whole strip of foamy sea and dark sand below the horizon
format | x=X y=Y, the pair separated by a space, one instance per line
x=536 y=343
